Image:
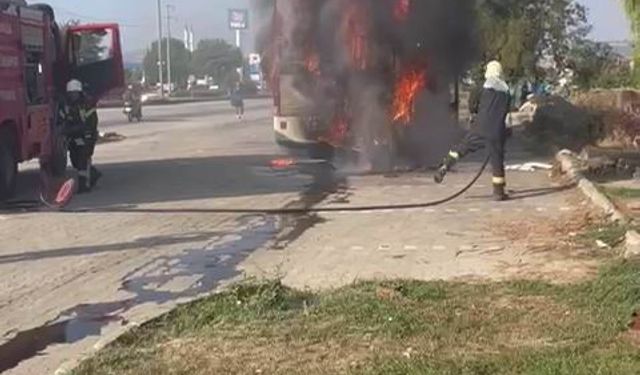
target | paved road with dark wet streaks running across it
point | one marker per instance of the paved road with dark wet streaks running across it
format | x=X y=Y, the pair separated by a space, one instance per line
x=150 y=237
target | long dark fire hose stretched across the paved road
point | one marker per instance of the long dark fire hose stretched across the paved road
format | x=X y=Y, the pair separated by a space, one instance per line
x=33 y=205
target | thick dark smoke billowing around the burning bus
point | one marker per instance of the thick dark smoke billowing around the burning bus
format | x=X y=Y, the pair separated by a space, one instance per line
x=436 y=34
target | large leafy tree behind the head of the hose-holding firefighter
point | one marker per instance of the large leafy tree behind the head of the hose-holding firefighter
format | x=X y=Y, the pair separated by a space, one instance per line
x=525 y=33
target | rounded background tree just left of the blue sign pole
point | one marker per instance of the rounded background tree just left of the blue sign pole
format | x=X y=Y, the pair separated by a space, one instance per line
x=218 y=59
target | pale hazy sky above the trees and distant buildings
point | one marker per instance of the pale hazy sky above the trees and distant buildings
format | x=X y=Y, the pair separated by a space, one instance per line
x=209 y=18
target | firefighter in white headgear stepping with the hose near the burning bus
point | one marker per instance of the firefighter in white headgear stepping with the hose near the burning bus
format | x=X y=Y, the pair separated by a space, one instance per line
x=488 y=130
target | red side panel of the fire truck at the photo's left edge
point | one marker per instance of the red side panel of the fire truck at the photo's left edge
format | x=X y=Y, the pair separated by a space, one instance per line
x=12 y=104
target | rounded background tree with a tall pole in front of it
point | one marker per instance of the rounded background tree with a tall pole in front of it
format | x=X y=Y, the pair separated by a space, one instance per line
x=180 y=62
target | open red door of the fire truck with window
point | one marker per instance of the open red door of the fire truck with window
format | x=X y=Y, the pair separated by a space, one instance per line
x=95 y=58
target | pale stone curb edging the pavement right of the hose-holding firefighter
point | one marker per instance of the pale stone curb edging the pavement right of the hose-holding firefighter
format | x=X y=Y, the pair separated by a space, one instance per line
x=572 y=166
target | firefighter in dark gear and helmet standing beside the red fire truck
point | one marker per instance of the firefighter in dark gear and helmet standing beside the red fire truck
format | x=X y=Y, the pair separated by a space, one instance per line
x=81 y=127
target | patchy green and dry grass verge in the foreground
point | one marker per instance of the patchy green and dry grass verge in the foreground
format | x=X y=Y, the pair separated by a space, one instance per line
x=398 y=327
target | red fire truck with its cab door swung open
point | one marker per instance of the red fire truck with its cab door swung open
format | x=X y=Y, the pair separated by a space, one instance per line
x=37 y=58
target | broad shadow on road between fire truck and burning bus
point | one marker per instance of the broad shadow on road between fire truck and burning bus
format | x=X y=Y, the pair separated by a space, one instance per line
x=174 y=180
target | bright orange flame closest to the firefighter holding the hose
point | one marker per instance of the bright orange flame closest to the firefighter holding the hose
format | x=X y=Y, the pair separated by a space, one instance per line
x=408 y=86
